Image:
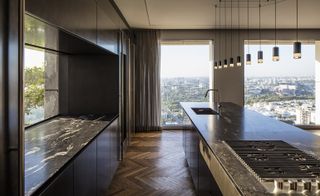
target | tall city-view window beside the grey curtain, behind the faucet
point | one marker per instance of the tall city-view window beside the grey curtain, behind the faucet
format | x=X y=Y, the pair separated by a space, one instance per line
x=184 y=78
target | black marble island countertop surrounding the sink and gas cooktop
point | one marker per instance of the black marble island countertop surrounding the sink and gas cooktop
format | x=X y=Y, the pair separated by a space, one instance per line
x=238 y=123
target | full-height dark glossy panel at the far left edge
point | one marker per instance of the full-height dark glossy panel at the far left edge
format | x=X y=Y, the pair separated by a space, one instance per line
x=11 y=145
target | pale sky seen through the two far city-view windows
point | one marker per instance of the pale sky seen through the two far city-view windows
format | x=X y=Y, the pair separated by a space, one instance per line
x=193 y=61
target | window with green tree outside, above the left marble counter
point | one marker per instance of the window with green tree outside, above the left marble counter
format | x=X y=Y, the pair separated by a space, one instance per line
x=40 y=85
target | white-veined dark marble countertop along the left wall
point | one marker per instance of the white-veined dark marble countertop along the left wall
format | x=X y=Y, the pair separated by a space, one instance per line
x=52 y=143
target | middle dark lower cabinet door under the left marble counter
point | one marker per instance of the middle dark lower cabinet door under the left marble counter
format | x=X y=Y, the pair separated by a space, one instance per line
x=85 y=171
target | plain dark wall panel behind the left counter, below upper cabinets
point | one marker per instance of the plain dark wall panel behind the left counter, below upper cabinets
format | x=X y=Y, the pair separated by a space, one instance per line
x=93 y=84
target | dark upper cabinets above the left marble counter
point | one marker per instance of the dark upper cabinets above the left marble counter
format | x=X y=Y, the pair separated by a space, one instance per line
x=94 y=20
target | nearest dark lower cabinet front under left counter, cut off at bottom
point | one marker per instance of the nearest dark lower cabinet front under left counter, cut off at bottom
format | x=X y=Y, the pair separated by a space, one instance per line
x=62 y=185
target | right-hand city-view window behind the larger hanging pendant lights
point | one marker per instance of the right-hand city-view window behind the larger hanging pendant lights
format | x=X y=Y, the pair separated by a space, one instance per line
x=284 y=90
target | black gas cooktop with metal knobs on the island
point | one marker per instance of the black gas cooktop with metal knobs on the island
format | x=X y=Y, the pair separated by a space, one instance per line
x=279 y=166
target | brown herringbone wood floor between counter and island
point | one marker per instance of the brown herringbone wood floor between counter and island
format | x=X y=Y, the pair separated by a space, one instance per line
x=154 y=164
